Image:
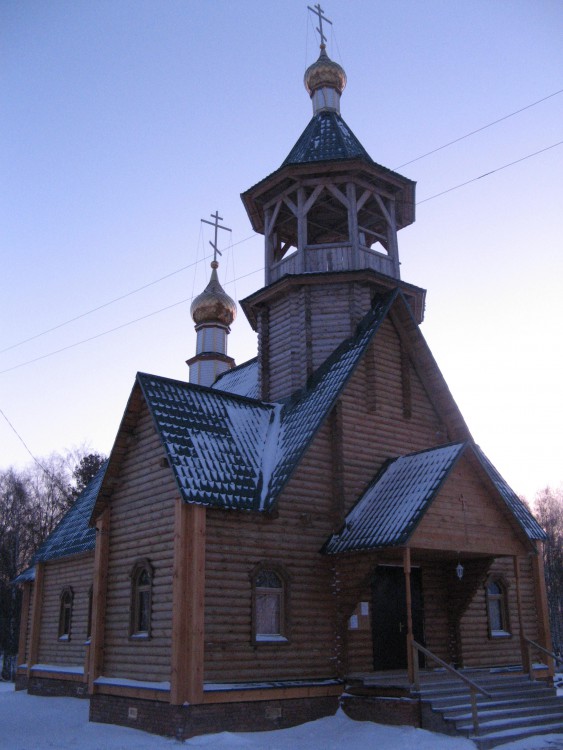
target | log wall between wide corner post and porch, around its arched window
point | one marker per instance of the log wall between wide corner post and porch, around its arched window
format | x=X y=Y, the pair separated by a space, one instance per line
x=236 y=543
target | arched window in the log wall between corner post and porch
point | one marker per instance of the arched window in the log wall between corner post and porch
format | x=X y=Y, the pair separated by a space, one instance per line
x=270 y=600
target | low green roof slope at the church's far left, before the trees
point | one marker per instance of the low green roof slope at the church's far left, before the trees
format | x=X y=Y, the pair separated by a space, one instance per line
x=74 y=534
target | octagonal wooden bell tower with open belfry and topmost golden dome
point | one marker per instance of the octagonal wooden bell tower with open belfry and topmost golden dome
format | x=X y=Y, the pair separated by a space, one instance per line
x=330 y=216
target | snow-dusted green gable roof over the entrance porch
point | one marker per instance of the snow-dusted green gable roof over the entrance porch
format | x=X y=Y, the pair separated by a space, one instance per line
x=390 y=509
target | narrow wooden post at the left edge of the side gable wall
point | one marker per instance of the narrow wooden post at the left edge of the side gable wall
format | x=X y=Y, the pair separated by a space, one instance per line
x=99 y=595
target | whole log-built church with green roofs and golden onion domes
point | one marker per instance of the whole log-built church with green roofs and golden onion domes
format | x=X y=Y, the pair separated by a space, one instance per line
x=268 y=541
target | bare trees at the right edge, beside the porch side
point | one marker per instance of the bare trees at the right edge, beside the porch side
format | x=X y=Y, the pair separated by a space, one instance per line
x=549 y=512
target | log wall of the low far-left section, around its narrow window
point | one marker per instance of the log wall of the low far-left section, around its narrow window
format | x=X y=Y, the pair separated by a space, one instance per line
x=77 y=573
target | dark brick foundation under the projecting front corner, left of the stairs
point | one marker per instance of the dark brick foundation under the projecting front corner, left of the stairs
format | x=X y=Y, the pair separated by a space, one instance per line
x=183 y=722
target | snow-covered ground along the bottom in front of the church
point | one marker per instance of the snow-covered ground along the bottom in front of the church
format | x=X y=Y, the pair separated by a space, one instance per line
x=28 y=722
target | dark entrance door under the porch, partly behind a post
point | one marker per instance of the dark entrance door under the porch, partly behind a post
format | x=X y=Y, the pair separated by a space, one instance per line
x=389 y=616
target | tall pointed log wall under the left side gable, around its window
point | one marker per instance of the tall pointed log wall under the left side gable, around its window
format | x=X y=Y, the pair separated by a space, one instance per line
x=142 y=526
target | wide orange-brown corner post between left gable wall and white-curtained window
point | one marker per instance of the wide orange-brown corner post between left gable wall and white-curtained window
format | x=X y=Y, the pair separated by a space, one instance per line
x=188 y=604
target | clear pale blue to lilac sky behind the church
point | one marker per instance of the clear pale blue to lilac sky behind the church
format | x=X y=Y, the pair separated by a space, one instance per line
x=126 y=122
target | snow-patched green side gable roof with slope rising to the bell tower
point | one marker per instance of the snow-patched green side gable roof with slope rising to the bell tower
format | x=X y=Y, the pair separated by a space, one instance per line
x=233 y=452
